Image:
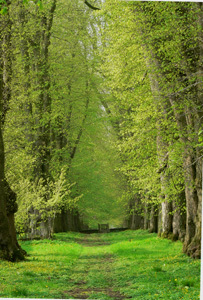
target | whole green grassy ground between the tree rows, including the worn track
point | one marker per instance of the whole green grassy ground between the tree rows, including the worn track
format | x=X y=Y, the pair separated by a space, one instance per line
x=124 y=265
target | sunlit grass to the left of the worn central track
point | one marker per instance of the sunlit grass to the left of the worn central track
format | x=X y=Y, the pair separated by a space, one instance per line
x=43 y=274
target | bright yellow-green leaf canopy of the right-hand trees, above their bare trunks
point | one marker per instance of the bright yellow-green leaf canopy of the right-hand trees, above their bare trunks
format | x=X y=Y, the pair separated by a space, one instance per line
x=151 y=71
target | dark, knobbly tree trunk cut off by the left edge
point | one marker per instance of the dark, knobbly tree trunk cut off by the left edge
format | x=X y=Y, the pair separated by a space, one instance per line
x=9 y=247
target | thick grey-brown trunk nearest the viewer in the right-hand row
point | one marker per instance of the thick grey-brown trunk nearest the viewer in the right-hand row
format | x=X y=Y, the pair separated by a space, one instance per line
x=193 y=176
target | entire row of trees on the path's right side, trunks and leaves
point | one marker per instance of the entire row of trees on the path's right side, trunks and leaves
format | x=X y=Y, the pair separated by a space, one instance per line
x=153 y=68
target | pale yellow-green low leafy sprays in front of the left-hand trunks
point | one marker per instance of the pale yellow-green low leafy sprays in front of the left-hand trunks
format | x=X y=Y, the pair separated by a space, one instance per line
x=48 y=200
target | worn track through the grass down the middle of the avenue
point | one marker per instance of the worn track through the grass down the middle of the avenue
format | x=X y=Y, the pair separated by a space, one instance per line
x=92 y=277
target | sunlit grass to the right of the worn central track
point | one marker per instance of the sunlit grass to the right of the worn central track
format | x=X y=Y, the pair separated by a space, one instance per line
x=148 y=267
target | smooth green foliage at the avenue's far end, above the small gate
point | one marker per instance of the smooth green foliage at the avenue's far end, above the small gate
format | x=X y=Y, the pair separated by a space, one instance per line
x=94 y=171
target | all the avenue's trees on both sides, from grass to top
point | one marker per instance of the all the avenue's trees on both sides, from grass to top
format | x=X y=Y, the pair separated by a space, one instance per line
x=101 y=118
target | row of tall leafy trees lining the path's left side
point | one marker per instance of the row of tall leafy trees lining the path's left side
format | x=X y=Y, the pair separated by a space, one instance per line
x=55 y=146
